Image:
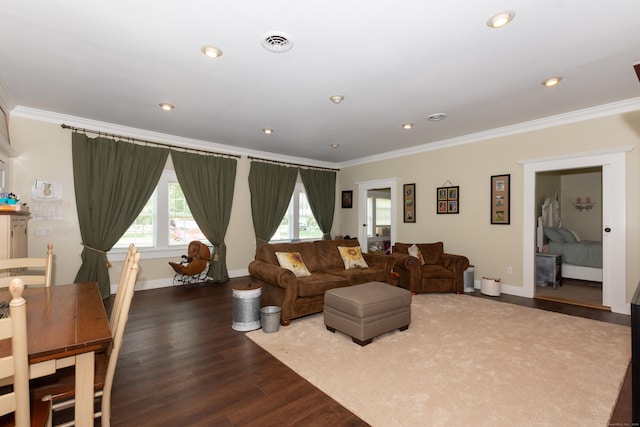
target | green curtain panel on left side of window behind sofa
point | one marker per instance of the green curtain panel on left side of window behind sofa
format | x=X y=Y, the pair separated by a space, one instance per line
x=271 y=187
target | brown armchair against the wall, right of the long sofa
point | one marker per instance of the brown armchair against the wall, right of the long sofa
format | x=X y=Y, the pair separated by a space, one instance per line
x=441 y=272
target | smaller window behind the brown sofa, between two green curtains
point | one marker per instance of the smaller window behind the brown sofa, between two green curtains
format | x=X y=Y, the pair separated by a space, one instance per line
x=298 y=223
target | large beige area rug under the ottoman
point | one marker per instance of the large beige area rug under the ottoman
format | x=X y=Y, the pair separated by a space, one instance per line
x=465 y=361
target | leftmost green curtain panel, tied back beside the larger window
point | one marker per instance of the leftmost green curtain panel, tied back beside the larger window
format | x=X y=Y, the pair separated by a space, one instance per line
x=113 y=181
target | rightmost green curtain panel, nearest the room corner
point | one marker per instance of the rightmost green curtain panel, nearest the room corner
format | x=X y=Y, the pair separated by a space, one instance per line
x=320 y=187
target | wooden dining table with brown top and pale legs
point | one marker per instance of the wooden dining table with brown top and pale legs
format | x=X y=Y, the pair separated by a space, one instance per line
x=66 y=326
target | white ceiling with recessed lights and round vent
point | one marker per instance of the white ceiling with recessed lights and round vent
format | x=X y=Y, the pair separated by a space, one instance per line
x=394 y=61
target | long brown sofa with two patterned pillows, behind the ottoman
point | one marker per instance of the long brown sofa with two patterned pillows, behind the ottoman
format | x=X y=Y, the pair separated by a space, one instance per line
x=300 y=296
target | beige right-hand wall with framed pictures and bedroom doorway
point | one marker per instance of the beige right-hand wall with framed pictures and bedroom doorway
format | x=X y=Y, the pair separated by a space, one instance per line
x=493 y=248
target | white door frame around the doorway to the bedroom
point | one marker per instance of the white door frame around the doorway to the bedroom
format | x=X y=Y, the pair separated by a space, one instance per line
x=614 y=283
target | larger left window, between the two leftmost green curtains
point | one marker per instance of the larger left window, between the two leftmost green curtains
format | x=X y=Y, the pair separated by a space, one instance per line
x=165 y=222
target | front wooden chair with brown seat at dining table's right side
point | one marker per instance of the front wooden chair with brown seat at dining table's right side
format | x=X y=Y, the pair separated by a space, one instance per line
x=60 y=388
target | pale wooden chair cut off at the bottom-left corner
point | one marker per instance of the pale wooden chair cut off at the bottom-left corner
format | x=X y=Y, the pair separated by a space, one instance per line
x=16 y=408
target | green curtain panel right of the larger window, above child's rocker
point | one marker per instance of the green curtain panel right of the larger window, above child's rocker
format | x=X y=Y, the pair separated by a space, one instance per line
x=208 y=183
